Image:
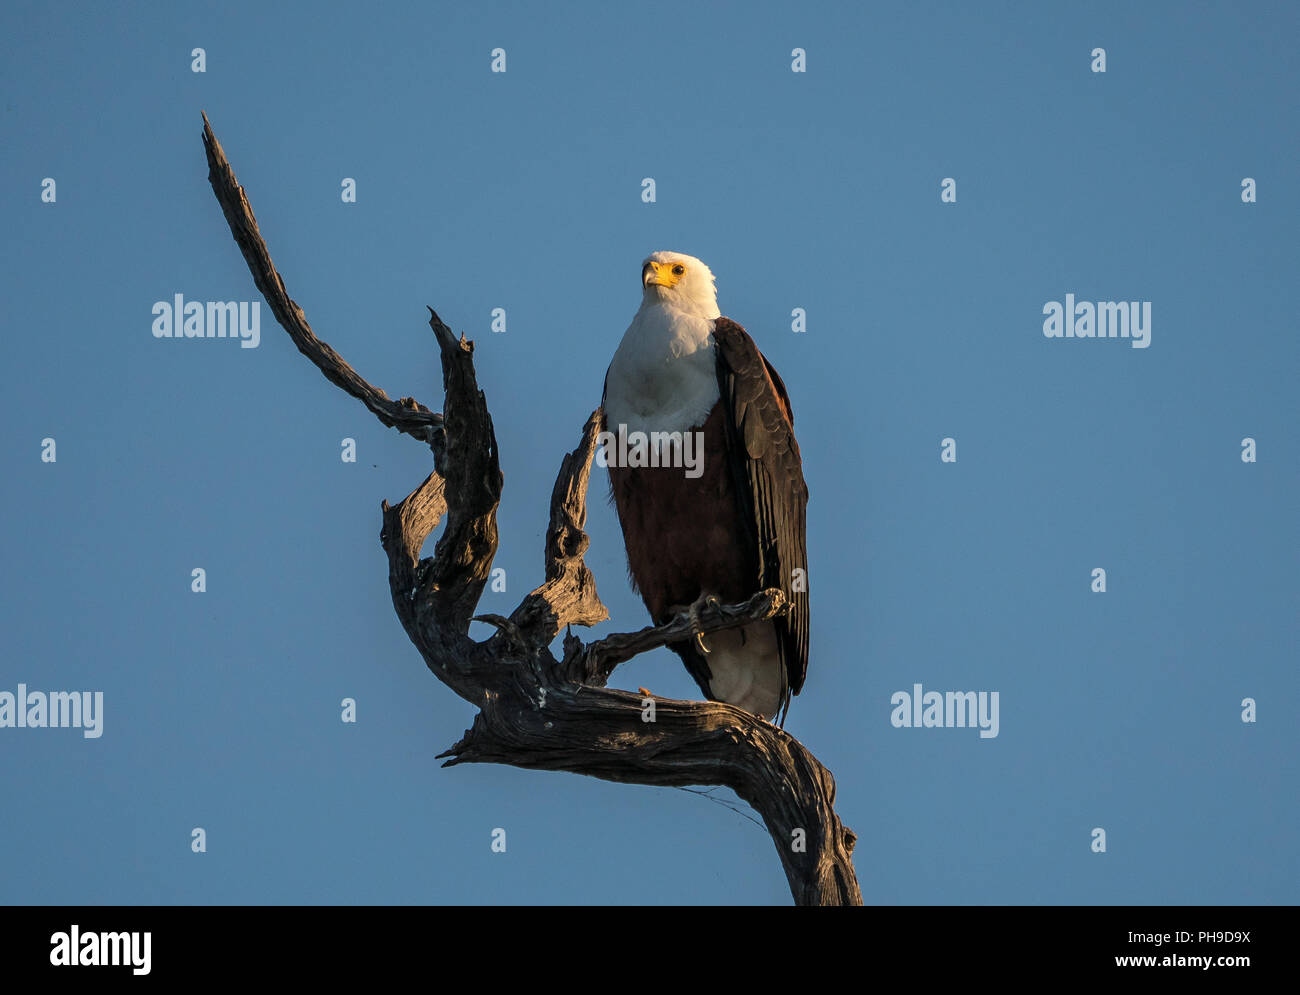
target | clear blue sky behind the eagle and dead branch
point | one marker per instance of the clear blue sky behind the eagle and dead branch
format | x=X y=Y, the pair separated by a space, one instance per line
x=523 y=191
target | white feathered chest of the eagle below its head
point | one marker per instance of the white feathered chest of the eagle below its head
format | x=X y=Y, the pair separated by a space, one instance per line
x=664 y=377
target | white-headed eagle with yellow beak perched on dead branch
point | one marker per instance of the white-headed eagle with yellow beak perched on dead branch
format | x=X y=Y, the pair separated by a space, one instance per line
x=708 y=482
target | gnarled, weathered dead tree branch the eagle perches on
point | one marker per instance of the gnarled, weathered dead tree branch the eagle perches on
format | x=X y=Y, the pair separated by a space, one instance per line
x=536 y=711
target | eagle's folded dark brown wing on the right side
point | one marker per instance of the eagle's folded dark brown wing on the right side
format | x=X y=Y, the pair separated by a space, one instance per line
x=769 y=473
